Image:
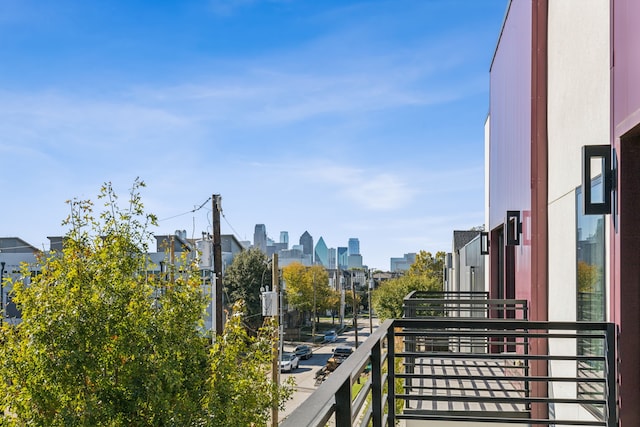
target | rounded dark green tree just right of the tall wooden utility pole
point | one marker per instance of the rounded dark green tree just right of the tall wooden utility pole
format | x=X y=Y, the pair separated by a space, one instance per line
x=243 y=279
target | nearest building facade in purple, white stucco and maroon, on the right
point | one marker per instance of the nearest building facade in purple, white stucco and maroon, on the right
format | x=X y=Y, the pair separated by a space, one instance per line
x=563 y=120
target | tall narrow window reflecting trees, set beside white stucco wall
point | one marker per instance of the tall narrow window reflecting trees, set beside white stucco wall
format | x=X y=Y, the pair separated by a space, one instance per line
x=590 y=273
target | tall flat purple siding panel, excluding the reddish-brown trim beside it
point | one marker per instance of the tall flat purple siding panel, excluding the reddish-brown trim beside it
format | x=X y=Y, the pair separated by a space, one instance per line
x=510 y=133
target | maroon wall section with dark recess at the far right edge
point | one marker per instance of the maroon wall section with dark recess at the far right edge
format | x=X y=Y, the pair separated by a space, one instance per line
x=625 y=240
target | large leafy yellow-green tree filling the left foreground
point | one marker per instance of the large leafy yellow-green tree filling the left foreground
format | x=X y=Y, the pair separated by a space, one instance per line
x=104 y=343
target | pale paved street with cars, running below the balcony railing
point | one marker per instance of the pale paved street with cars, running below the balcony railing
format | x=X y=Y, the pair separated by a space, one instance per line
x=305 y=374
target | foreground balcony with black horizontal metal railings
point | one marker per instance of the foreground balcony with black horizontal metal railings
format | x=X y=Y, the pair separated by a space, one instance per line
x=444 y=370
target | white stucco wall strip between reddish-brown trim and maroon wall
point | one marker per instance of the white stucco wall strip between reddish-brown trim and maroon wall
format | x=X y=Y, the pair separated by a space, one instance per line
x=578 y=114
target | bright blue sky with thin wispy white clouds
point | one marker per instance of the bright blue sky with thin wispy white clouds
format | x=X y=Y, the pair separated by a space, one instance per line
x=344 y=118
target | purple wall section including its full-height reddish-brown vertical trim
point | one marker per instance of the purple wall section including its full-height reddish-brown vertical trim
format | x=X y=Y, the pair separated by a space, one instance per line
x=518 y=166
